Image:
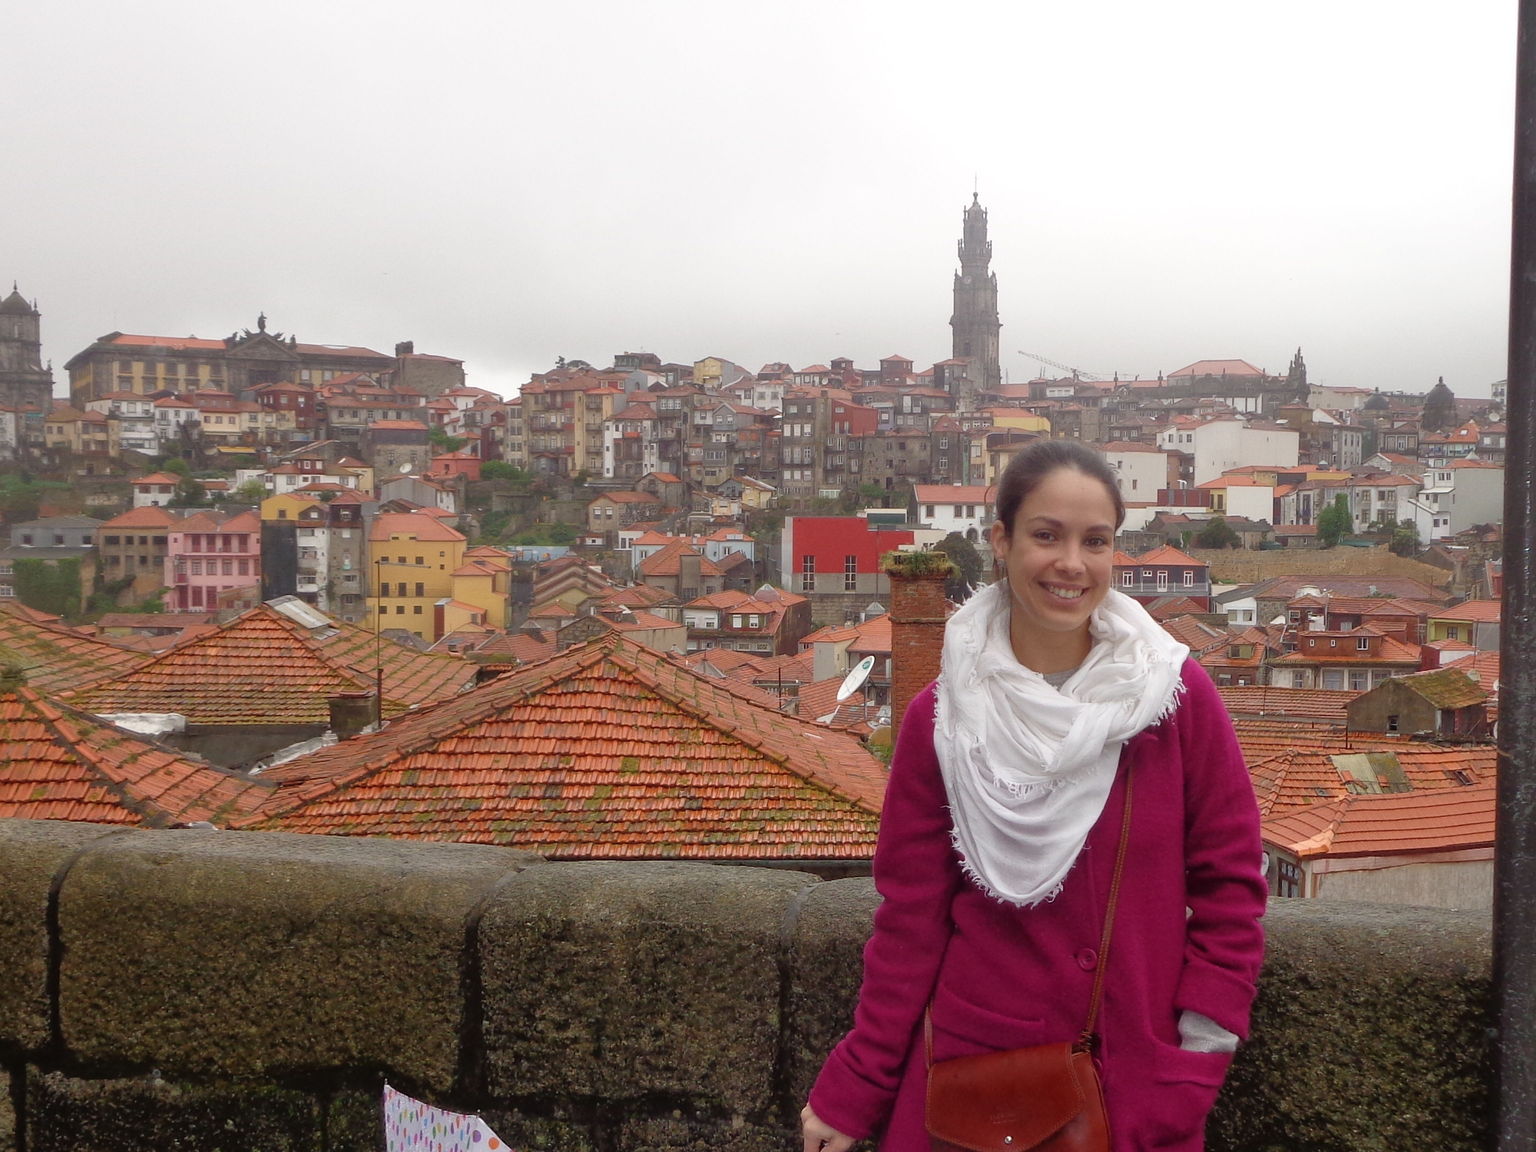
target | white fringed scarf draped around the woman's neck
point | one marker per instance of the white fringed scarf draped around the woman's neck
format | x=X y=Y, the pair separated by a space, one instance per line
x=1028 y=767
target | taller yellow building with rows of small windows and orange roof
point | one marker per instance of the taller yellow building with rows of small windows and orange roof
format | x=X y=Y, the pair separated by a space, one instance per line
x=412 y=558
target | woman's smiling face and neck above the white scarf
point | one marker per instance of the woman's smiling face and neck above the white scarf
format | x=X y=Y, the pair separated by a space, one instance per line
x=1059 y=557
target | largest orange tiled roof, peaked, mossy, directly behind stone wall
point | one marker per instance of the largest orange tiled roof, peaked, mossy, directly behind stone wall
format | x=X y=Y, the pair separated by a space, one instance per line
x=604 y=752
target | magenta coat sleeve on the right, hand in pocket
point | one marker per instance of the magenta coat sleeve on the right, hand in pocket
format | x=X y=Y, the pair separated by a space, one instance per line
x=1225 y=886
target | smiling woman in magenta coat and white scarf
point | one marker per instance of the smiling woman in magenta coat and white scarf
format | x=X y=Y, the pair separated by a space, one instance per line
x=999 y=836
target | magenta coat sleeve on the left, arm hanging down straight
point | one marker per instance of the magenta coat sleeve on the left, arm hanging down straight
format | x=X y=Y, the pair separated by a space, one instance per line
x=916 y=872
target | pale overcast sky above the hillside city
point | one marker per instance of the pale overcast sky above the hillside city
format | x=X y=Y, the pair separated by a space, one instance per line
x=515 y=182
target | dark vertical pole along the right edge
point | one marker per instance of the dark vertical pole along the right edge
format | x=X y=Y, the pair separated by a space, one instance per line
x=1515 y=856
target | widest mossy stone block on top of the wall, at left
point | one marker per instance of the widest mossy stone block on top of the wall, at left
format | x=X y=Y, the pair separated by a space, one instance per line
x=266 y=955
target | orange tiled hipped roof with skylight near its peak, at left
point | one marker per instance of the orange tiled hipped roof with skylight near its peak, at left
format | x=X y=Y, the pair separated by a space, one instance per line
x=266 y=669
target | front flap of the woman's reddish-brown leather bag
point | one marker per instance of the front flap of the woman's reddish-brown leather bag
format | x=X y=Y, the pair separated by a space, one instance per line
x=1005 y=1102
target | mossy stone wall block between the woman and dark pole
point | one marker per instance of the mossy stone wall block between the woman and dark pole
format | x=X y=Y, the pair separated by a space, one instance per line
x=1371 y=1034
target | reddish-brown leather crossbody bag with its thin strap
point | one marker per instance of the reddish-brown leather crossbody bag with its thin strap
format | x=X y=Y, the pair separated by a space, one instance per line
x=1039 y=1099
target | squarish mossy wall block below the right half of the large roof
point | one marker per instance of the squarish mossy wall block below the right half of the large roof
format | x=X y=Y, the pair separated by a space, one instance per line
x=623 y=981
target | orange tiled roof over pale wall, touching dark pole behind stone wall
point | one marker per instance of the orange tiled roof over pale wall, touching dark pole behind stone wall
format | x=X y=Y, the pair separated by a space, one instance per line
x=1389 y=826
